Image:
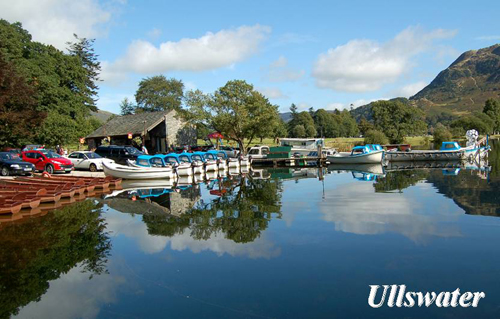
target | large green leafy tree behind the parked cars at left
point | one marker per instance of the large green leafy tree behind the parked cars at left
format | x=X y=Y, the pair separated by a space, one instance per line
x=61 y=83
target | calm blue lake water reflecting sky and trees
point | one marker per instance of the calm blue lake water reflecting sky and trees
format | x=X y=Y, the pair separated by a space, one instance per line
x=282 y=244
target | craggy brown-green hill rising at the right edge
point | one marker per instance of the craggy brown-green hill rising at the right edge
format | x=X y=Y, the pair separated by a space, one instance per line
x=460 y=89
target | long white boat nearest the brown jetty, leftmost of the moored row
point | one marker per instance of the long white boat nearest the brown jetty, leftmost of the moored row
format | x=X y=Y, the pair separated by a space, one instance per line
x=128 y=172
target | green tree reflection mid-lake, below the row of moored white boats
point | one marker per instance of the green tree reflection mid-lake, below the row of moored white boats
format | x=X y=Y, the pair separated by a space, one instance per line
x=241 y=214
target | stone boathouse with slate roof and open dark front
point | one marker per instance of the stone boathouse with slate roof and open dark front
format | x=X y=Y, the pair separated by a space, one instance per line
x=159 y=129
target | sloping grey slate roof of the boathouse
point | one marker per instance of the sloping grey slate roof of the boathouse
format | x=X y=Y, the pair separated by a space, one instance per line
x=122 y=125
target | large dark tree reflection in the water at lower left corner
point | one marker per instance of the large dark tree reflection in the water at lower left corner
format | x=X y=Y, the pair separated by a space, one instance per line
x=41 y=249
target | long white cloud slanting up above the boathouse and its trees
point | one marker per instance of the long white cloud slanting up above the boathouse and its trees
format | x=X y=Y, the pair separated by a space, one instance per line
x=210 y=51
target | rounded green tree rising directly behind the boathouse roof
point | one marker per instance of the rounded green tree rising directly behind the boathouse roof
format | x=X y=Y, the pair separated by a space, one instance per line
x=158 y=93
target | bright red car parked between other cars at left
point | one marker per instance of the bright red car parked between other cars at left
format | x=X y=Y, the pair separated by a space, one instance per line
x=48 y=161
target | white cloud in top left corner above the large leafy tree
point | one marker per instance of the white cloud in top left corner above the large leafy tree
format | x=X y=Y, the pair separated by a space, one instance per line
x=55 y=21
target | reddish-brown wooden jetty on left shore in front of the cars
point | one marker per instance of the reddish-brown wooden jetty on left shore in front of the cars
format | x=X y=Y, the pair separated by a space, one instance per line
x=32 y=196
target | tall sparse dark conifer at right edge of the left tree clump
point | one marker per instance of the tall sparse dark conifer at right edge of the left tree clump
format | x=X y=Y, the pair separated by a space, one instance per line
x=83 y=48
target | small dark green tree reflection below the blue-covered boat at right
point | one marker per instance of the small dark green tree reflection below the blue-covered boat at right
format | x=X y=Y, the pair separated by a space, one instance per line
x=399 y=180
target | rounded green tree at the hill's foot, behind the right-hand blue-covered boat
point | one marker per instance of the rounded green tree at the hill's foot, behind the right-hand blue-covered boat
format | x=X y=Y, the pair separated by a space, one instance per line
x=397 y=120
